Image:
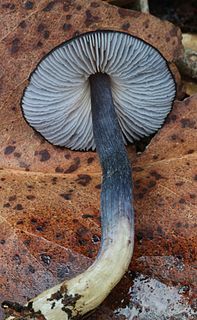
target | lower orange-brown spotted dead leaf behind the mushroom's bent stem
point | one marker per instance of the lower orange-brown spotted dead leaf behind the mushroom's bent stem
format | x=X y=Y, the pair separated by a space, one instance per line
x=50 y=222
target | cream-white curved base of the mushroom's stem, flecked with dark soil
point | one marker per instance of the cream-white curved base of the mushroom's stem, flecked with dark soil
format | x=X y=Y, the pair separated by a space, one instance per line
x=87 y=291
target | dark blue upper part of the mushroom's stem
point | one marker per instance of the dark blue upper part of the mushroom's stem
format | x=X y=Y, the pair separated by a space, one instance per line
x=116 y=192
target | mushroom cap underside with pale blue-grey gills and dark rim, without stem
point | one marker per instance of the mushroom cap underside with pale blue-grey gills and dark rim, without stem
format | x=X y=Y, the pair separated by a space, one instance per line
x=57 y=101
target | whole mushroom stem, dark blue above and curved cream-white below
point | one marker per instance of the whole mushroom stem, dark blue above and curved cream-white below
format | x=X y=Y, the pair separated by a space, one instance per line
x=86 y=291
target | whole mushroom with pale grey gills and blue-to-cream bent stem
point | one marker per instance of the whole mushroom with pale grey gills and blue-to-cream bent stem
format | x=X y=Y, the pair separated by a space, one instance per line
x=99 y=90
